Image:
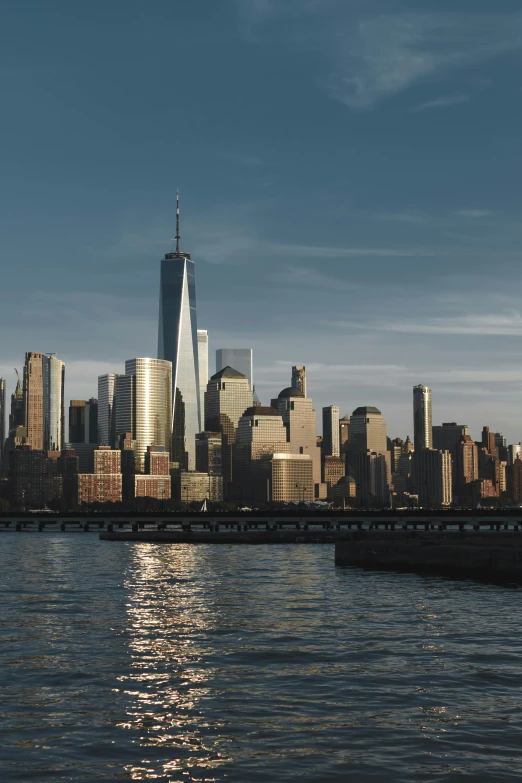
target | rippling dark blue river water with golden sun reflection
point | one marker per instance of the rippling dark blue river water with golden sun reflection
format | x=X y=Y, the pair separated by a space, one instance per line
x=227 y=663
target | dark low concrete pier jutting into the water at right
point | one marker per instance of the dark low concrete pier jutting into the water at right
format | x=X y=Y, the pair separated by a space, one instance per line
x=487 y=556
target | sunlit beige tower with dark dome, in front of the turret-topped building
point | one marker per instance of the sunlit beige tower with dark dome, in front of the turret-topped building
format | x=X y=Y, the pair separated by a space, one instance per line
x=300 y=420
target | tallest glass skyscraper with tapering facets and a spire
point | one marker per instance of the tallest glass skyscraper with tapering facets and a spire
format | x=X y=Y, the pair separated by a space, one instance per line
x=178 y=344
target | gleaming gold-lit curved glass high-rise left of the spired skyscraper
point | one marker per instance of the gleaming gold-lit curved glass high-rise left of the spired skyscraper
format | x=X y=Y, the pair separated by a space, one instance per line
x=143 y=401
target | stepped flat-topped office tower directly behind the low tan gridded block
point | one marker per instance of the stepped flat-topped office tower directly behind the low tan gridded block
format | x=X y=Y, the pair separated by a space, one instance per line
x=260 y=432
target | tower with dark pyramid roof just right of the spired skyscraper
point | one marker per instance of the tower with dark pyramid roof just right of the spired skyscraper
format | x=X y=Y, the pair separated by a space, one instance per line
x=227 y=397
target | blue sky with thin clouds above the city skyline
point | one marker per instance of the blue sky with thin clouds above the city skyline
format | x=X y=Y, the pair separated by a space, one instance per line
x=349 y=175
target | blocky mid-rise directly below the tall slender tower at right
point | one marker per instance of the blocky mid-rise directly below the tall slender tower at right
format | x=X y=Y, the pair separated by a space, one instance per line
x=433 y=477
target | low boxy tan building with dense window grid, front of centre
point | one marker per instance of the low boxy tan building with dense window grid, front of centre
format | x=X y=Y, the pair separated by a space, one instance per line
x=290 y=477
